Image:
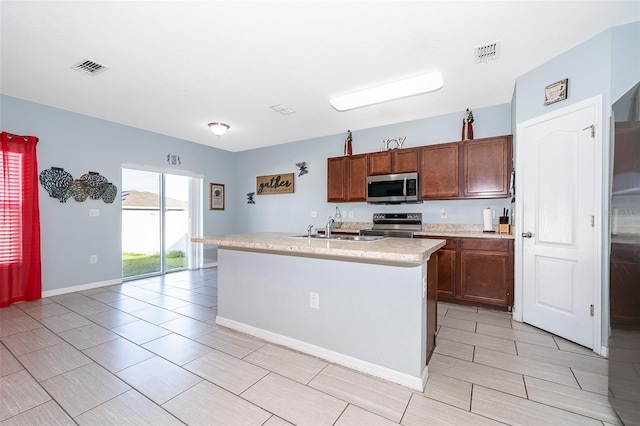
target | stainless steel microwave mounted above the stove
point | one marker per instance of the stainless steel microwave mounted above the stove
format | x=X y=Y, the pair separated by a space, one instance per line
x=393 y=189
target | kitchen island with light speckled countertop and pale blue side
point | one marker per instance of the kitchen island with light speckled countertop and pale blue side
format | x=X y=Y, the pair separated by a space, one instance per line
x=366 y=305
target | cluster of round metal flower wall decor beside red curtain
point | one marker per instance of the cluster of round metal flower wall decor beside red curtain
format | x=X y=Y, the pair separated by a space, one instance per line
x=60 y=184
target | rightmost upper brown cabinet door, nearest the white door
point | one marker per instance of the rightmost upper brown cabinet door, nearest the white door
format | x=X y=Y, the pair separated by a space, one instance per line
x=487 y=167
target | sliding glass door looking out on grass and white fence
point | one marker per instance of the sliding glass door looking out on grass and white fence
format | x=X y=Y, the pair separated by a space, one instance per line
x=156 y=221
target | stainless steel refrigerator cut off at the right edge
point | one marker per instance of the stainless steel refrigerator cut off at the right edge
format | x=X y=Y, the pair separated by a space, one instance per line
x=624 y=261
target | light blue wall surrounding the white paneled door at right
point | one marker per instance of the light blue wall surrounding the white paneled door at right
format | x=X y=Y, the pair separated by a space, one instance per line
x=608 y=65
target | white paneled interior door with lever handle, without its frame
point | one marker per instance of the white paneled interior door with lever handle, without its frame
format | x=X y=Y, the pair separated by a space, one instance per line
x=558 y=184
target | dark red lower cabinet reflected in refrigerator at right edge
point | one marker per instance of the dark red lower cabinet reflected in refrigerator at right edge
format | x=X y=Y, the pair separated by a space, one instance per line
x=625 y=285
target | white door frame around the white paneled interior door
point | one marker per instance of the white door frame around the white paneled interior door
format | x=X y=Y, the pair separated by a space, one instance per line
x=596 y=103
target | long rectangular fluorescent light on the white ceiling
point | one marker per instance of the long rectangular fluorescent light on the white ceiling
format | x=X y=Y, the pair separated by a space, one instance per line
x=388 y=92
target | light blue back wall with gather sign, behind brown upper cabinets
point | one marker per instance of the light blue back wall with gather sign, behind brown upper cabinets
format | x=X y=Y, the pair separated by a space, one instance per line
x=292 y=212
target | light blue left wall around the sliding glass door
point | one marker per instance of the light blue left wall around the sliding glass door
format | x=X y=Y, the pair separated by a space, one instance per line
x=80 y=144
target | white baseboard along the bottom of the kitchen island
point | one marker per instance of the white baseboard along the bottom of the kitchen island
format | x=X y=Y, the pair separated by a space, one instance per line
x=415 y=383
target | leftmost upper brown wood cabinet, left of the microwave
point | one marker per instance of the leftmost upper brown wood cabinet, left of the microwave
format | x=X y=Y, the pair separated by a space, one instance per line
x=347 y=178
